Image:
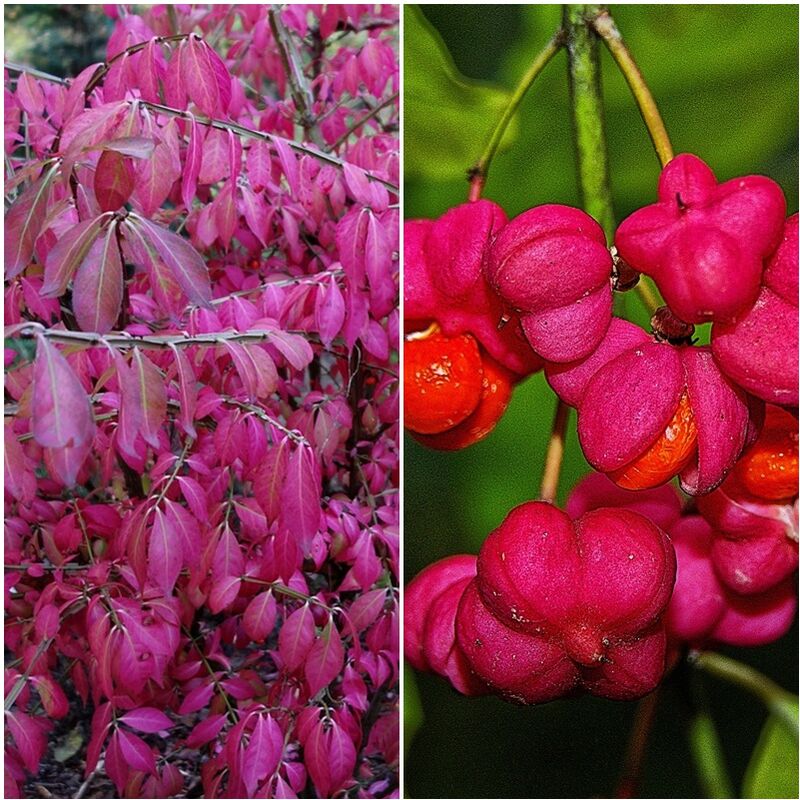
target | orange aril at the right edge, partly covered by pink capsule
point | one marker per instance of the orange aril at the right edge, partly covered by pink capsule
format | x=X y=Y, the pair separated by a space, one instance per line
x=769 y=468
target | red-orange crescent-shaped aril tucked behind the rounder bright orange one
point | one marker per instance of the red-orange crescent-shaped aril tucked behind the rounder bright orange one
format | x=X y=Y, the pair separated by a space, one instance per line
x=498 y=383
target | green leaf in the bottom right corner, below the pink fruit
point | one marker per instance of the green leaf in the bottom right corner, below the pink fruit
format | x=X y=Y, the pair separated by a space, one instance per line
x=772 y=771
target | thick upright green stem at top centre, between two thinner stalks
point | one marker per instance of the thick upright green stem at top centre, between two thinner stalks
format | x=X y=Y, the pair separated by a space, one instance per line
x=587 y=114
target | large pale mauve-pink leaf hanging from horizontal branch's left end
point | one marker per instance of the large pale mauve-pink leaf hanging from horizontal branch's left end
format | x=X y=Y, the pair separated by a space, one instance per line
x=62 y=415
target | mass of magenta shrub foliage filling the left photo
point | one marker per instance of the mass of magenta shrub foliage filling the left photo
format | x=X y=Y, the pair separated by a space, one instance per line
x=202 y=466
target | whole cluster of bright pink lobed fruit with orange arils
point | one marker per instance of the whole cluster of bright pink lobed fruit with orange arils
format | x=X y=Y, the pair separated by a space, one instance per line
x=605 y=595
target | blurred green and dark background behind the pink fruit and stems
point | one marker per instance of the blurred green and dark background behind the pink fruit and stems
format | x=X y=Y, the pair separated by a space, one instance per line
x=726 y=81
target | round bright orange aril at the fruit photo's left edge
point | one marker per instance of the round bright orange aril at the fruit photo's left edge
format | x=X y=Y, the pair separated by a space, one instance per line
x=443 y=381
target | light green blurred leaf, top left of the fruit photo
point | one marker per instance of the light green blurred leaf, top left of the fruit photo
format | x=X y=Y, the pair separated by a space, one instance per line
x=448 y=118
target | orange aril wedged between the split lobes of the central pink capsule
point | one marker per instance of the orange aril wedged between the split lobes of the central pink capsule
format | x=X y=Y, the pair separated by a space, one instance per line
x=666 y=457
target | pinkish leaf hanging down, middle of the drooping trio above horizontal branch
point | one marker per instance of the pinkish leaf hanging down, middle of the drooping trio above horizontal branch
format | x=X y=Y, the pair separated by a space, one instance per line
x=97 y=290
